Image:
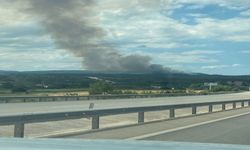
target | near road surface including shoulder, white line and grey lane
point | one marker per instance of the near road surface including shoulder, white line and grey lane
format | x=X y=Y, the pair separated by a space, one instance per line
x=228 y=127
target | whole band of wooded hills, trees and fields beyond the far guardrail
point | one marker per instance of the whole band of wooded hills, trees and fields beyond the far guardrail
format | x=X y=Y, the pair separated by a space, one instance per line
x=83 y=84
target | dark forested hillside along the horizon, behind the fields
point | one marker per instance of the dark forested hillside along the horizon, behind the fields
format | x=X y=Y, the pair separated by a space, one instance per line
x=82 y=79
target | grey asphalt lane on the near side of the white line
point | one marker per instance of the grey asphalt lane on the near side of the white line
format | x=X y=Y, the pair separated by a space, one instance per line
x=231 y=131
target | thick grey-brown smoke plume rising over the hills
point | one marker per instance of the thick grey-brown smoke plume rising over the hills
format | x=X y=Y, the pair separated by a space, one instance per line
x=73 y=25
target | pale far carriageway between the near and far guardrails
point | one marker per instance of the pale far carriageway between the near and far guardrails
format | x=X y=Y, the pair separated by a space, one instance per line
x=61 y=106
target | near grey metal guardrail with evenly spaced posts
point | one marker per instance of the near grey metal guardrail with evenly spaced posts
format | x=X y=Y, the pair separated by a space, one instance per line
x=20 y=120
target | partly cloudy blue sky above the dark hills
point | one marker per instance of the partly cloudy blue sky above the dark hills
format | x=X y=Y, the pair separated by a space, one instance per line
x=204 y=36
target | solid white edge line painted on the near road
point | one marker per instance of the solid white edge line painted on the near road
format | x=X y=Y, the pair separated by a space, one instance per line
x=184 y=127
